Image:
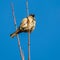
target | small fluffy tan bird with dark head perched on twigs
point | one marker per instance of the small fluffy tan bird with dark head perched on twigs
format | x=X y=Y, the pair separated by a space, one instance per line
x=27 y=24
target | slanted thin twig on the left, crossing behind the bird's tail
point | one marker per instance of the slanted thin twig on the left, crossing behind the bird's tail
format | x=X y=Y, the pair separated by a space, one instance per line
x=19 y=46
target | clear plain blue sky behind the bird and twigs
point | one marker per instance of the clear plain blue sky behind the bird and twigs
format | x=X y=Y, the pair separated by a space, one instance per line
x=45 y=39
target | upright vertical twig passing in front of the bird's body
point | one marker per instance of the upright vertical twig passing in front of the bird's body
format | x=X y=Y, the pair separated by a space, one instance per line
x=27 y=12
